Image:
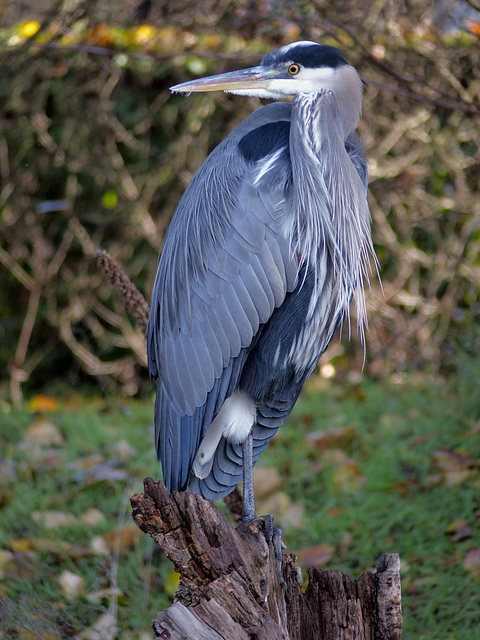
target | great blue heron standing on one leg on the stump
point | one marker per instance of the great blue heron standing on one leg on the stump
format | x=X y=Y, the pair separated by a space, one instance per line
x=266 y=249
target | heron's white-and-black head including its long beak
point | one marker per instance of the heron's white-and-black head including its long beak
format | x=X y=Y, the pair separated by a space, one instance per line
x=298 y=68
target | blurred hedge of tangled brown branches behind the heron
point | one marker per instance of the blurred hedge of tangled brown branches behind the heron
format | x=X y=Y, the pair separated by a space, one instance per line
x=95 y=153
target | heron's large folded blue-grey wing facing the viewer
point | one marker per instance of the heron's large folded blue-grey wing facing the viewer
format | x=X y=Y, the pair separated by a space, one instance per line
x=225 y=267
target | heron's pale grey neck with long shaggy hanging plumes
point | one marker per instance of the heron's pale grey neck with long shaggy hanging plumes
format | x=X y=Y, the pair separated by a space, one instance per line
x=328 y=194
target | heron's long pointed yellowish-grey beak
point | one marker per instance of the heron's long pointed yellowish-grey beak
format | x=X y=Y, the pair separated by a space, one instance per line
x=253 y=78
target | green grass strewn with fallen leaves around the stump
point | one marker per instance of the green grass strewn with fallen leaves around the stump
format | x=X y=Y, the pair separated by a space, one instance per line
x=386 y=490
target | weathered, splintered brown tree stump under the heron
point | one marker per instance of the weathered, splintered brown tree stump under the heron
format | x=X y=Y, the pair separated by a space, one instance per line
x=230 y=588
